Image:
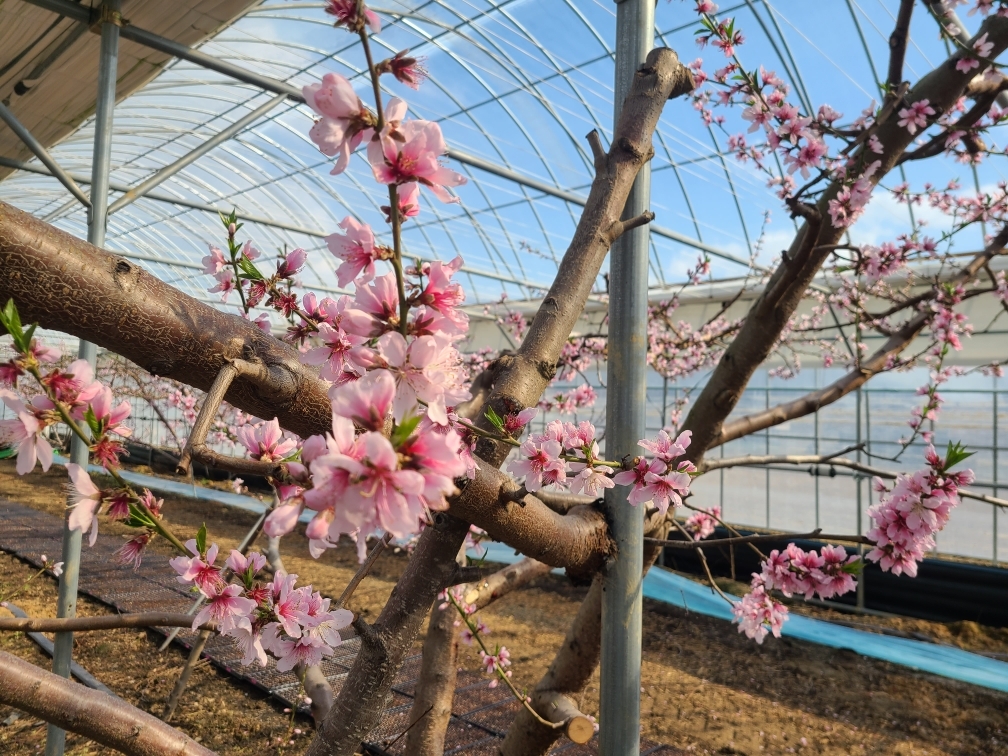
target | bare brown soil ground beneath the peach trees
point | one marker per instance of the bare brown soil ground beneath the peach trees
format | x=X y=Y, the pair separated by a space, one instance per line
x=706 y=689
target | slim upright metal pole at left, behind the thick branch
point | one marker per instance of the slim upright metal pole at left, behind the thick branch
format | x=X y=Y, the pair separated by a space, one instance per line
x=104 y=105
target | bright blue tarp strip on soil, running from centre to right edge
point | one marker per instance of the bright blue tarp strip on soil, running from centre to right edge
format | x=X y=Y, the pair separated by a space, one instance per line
x=955 y=664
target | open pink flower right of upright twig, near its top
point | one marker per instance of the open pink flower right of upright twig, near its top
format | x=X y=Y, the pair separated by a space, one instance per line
x=415 y=159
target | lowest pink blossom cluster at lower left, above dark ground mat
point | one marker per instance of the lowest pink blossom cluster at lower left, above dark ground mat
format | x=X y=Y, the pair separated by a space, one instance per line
x=297 y=625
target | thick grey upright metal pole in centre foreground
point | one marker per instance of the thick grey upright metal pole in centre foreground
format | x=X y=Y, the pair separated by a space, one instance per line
x=626 y=380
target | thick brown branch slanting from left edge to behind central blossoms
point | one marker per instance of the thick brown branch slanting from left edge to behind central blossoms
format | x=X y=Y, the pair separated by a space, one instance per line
x=65 y=284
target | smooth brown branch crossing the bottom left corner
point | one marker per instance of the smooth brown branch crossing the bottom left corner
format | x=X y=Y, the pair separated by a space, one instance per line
x=95 y=715
